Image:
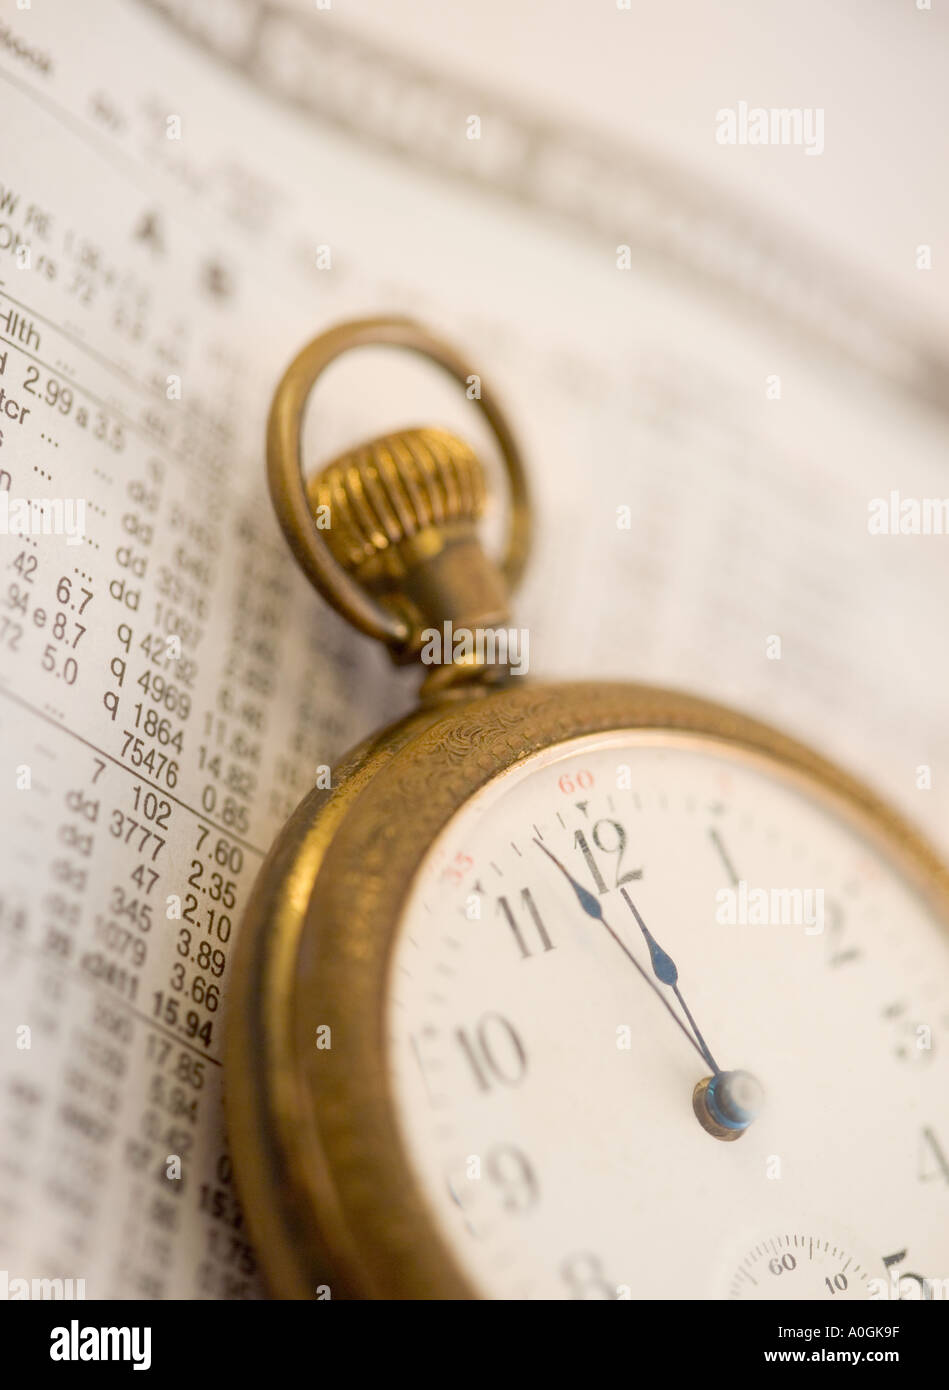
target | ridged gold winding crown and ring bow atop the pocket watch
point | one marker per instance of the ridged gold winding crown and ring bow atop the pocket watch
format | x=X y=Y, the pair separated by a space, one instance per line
x=388 y=532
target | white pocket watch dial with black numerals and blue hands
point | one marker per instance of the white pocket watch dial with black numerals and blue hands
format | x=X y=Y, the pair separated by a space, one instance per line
x=609 y=926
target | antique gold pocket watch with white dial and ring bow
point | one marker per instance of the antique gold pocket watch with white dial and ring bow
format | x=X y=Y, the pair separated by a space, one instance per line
x=580 y=990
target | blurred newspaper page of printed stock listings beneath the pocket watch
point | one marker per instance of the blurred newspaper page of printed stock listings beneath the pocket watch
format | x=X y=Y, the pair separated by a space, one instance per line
x=719 y=358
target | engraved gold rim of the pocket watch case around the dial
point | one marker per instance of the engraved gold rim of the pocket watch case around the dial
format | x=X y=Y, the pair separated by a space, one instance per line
x=329 y=1188
